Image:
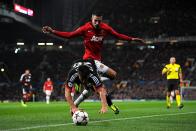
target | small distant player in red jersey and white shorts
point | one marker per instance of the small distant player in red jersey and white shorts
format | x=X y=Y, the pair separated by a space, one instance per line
x=47 y=89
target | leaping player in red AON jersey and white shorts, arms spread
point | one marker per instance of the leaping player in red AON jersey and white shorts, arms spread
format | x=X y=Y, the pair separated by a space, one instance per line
x=94 y=33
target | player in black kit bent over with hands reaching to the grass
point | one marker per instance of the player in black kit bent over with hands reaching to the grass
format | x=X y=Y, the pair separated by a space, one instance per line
x=84 y=72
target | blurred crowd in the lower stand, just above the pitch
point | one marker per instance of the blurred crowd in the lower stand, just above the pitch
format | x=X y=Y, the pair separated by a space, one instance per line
x=138 y=67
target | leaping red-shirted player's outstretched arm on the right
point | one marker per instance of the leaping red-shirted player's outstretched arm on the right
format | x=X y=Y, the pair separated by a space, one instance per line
x=122 y=36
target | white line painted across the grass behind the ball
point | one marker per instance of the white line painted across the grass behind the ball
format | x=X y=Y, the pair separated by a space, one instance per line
x=118 y=119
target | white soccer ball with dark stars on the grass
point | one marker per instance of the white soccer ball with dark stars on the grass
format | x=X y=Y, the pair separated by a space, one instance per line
x=80 y=118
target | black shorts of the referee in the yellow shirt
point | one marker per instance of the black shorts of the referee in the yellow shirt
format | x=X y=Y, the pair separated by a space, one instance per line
x=172 y=84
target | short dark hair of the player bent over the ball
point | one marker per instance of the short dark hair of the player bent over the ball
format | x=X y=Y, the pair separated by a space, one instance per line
x=84 y=72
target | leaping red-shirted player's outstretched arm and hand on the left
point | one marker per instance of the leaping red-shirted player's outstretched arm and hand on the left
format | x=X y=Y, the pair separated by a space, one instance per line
x=77 y=32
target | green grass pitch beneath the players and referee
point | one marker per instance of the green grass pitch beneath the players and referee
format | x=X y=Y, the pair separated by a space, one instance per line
x=134 y=116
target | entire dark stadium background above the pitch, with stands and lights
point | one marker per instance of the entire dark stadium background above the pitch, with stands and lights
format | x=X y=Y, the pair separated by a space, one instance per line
x=168 y=26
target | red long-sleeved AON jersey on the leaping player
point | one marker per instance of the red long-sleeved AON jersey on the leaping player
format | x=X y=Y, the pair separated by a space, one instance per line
x=93 y=38
